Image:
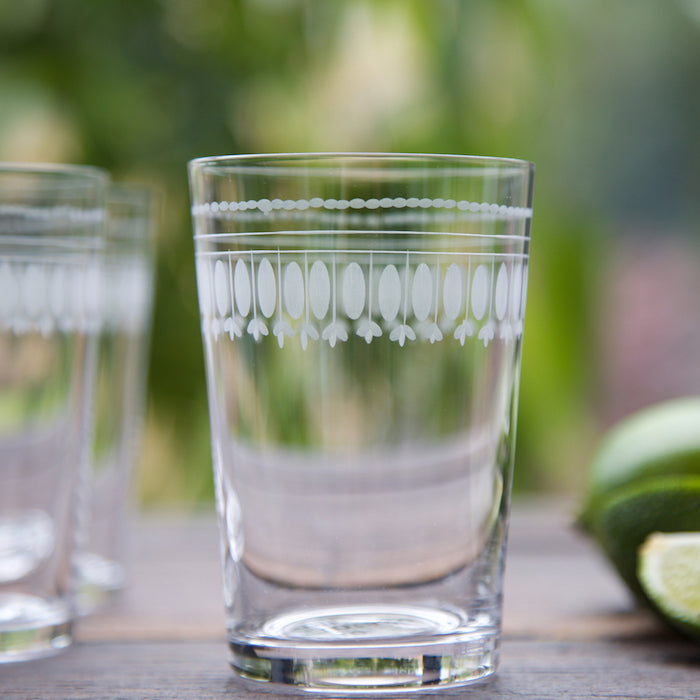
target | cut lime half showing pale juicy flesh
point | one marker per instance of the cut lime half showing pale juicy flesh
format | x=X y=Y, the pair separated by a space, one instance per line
x=669 y=572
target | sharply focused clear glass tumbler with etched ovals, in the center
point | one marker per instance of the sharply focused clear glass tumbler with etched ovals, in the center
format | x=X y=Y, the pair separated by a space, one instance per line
x=362 y=319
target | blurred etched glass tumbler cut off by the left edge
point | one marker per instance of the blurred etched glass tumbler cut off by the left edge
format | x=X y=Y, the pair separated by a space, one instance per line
x=51 y=236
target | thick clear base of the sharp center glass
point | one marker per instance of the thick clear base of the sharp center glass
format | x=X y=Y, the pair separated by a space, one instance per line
x=368 y=650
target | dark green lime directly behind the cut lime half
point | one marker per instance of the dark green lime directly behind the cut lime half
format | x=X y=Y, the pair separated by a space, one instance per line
x=656 y=504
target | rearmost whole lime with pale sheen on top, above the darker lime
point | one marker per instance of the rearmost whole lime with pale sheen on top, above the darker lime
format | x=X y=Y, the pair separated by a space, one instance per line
x=658 y=441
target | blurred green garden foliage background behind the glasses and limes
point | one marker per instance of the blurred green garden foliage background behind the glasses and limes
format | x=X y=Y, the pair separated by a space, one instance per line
x=603 y=96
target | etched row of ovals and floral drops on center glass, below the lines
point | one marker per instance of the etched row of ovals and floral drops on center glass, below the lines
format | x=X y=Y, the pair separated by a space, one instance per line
x=412 y=296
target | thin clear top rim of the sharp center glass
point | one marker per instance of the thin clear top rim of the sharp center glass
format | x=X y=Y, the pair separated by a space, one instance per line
x=299 y=161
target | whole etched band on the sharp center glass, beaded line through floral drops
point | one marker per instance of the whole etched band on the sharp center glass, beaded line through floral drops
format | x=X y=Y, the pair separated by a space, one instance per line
x=474 y=290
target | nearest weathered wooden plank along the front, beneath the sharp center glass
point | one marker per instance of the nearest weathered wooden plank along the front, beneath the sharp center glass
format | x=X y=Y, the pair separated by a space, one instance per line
x=655 y=667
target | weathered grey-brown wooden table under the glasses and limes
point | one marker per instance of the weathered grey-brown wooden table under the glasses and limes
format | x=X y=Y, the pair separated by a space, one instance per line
x=570 y=630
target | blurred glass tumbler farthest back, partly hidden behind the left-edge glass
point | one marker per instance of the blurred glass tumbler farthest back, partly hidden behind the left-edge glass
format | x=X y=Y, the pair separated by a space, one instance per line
x=125 y=314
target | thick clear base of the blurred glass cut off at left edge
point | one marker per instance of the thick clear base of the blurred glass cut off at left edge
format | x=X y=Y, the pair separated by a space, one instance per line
x=31 y=627
